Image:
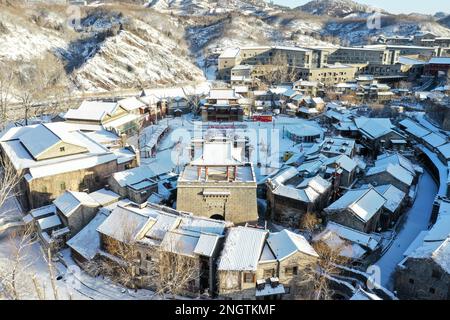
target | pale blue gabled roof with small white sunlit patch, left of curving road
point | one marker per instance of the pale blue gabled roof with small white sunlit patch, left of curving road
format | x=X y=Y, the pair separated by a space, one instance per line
x=364 y=203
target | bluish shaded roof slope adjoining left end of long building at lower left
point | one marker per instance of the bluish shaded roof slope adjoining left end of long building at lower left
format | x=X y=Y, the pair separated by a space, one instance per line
x=87 y=241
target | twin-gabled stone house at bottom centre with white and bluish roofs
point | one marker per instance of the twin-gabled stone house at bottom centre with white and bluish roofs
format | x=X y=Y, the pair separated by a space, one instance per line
x=257 y=264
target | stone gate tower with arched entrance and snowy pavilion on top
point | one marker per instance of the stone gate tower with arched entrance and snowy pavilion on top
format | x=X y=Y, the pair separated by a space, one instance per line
x=218 y=185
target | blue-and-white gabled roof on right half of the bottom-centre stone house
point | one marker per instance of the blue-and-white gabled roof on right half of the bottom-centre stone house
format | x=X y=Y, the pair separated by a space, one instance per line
x=285 y=243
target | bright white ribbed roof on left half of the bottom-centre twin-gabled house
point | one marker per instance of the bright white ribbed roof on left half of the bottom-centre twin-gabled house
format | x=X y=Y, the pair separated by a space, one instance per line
x=242 y=249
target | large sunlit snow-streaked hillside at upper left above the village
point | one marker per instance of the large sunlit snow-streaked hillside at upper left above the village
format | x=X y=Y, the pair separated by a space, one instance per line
x=109 y=50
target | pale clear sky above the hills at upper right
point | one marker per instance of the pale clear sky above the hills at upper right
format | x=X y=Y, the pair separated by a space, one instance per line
x=394 y=6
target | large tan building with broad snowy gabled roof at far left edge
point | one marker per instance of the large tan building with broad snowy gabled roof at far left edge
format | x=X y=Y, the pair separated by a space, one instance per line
x=55 y=157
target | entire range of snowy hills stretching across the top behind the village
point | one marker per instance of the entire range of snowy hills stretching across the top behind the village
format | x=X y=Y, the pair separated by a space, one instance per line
x=167 y=42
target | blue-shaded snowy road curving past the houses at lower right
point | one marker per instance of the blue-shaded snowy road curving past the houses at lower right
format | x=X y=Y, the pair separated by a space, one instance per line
x=417 y=220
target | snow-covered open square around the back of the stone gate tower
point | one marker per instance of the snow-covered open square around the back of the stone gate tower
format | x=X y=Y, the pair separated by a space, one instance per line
x=267 y=139
